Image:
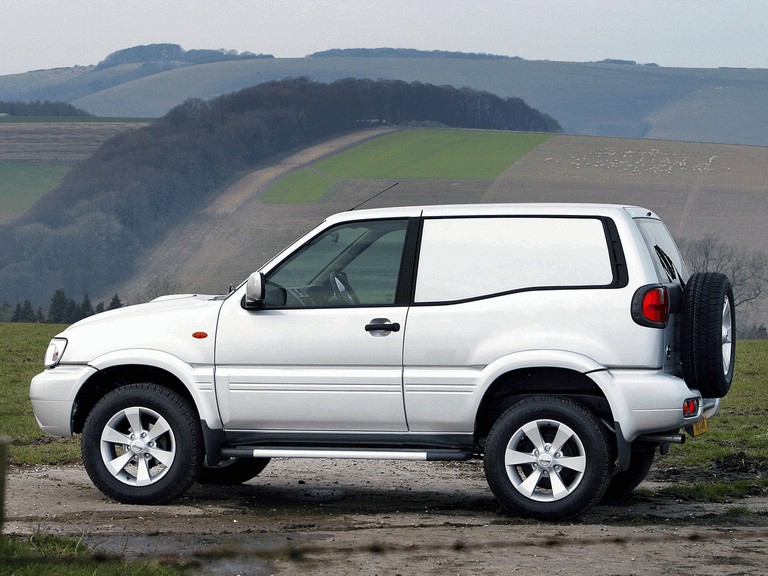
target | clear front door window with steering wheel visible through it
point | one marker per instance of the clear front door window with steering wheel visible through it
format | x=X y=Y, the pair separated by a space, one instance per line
x=352 y=264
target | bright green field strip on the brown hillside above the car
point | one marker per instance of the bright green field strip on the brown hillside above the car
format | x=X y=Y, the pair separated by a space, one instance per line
x=433 y=154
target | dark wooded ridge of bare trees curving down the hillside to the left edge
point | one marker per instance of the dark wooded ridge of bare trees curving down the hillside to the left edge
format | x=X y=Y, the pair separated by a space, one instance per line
x=91 y=231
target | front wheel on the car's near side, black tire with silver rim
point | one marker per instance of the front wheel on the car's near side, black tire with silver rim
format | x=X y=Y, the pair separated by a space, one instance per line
x=132 y=461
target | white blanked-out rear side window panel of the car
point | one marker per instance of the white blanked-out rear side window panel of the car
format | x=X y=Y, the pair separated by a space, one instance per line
x=467 y=258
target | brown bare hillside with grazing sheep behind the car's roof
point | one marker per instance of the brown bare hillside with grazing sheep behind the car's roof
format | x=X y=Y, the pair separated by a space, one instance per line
x=698 y=189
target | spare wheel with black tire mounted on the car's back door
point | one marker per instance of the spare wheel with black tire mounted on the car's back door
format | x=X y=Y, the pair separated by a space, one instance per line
x=708 y=325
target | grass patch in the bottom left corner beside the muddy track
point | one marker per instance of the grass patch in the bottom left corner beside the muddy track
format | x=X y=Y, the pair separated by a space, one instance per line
x=53 y=556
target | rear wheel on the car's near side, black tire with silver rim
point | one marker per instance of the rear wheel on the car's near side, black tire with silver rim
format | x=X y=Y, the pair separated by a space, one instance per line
x=551 y=438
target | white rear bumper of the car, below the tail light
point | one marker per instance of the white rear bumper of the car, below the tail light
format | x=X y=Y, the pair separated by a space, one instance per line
x=648 y=401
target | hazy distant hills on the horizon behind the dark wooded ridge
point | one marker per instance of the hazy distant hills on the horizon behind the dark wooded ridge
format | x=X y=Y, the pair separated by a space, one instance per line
x=603 y=98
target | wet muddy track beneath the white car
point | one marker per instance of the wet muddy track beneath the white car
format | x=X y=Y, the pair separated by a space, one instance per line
x=378 y=517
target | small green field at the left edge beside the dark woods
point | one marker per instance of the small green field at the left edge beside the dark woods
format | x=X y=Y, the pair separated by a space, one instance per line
x=24 y=183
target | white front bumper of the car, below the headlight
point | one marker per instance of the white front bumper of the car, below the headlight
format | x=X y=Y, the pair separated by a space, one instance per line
x=53 y=395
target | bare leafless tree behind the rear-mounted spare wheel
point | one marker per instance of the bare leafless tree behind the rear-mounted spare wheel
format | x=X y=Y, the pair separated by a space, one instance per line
x=747 y=270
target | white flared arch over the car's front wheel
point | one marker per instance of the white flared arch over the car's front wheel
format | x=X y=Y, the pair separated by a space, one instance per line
x=197 y=379
